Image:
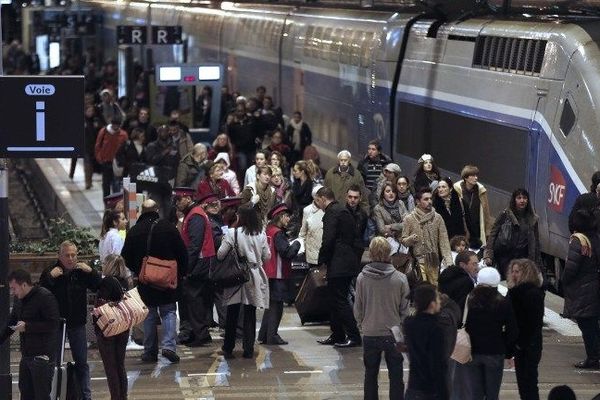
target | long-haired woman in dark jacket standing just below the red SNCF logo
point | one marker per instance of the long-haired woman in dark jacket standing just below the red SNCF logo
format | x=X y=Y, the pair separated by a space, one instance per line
x=515 y=234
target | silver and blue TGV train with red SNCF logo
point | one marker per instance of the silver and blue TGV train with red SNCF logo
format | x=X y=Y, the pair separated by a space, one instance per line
x=519 y=97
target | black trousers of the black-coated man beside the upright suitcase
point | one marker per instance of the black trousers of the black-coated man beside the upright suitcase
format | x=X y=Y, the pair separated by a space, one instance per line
x=341 y=316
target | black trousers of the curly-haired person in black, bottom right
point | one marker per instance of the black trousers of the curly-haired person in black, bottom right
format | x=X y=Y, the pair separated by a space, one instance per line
x=526 y=368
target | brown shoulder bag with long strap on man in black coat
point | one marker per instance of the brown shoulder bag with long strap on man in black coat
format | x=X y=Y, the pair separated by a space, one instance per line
x=156 y=272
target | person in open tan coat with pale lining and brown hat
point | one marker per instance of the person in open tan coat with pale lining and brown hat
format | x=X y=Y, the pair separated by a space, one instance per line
x=477 y=208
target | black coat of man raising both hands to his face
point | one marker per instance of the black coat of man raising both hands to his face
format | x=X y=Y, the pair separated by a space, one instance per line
x=70 y=290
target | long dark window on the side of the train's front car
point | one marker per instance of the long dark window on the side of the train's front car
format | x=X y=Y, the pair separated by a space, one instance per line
x=456 y=140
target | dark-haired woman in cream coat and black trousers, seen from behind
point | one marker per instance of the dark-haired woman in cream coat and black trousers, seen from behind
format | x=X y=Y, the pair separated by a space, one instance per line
x=251 y=244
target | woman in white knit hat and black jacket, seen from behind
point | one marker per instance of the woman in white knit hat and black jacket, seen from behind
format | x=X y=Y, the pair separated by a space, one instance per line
x=493 y=331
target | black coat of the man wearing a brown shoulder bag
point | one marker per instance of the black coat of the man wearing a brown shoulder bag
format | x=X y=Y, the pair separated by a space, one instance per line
x=166 y=244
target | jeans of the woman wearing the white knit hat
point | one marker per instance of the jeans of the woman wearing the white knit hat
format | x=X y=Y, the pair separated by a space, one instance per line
x=484 y=375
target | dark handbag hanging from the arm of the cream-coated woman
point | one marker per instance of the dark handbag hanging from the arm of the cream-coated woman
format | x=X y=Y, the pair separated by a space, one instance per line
x=232 y=271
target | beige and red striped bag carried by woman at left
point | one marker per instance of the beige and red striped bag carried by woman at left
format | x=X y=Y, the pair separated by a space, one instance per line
x=114 y=318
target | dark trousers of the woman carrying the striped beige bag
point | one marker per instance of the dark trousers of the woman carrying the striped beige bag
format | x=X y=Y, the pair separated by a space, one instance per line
x=112 y=351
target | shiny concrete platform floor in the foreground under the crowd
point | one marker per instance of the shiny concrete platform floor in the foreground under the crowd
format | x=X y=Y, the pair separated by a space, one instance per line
x=303 y=370
